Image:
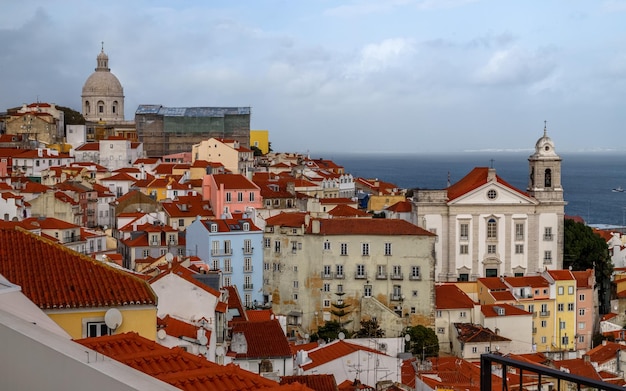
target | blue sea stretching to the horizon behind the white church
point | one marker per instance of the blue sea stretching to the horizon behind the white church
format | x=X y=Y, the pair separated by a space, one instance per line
x=587 y=178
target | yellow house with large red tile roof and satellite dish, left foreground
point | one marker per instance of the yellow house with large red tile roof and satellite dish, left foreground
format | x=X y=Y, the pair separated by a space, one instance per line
x=87 y=298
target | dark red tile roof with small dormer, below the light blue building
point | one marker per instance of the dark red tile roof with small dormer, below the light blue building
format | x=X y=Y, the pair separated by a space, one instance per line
x=264 y=339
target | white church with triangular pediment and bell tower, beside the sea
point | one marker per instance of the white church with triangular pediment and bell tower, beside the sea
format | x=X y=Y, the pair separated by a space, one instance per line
x=486 y=227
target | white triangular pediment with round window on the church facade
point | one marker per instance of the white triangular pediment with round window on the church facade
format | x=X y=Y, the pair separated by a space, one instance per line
x=494 y=193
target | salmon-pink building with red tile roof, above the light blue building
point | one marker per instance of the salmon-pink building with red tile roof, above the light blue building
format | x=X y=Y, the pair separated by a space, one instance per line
x=231 y=193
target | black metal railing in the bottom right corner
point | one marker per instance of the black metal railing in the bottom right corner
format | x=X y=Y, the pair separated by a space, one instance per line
x=538 y=374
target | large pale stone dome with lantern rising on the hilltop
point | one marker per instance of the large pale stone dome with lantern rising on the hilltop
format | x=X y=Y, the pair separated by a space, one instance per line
x=103 y=95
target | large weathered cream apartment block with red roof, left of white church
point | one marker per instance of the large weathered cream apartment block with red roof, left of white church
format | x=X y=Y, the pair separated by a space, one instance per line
x=374 y=267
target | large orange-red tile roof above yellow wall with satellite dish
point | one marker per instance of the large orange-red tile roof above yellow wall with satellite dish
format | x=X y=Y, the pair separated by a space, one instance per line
x=52 y=276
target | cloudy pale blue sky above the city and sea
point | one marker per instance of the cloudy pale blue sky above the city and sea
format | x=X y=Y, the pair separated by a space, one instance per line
x=342 y=76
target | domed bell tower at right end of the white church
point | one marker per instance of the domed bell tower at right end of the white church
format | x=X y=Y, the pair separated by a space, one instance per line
x=544 y=182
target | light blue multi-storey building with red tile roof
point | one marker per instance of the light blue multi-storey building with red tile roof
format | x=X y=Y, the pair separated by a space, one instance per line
x=234 y=247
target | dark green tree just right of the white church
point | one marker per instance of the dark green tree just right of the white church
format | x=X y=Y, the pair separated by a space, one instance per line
x=584 y=249
